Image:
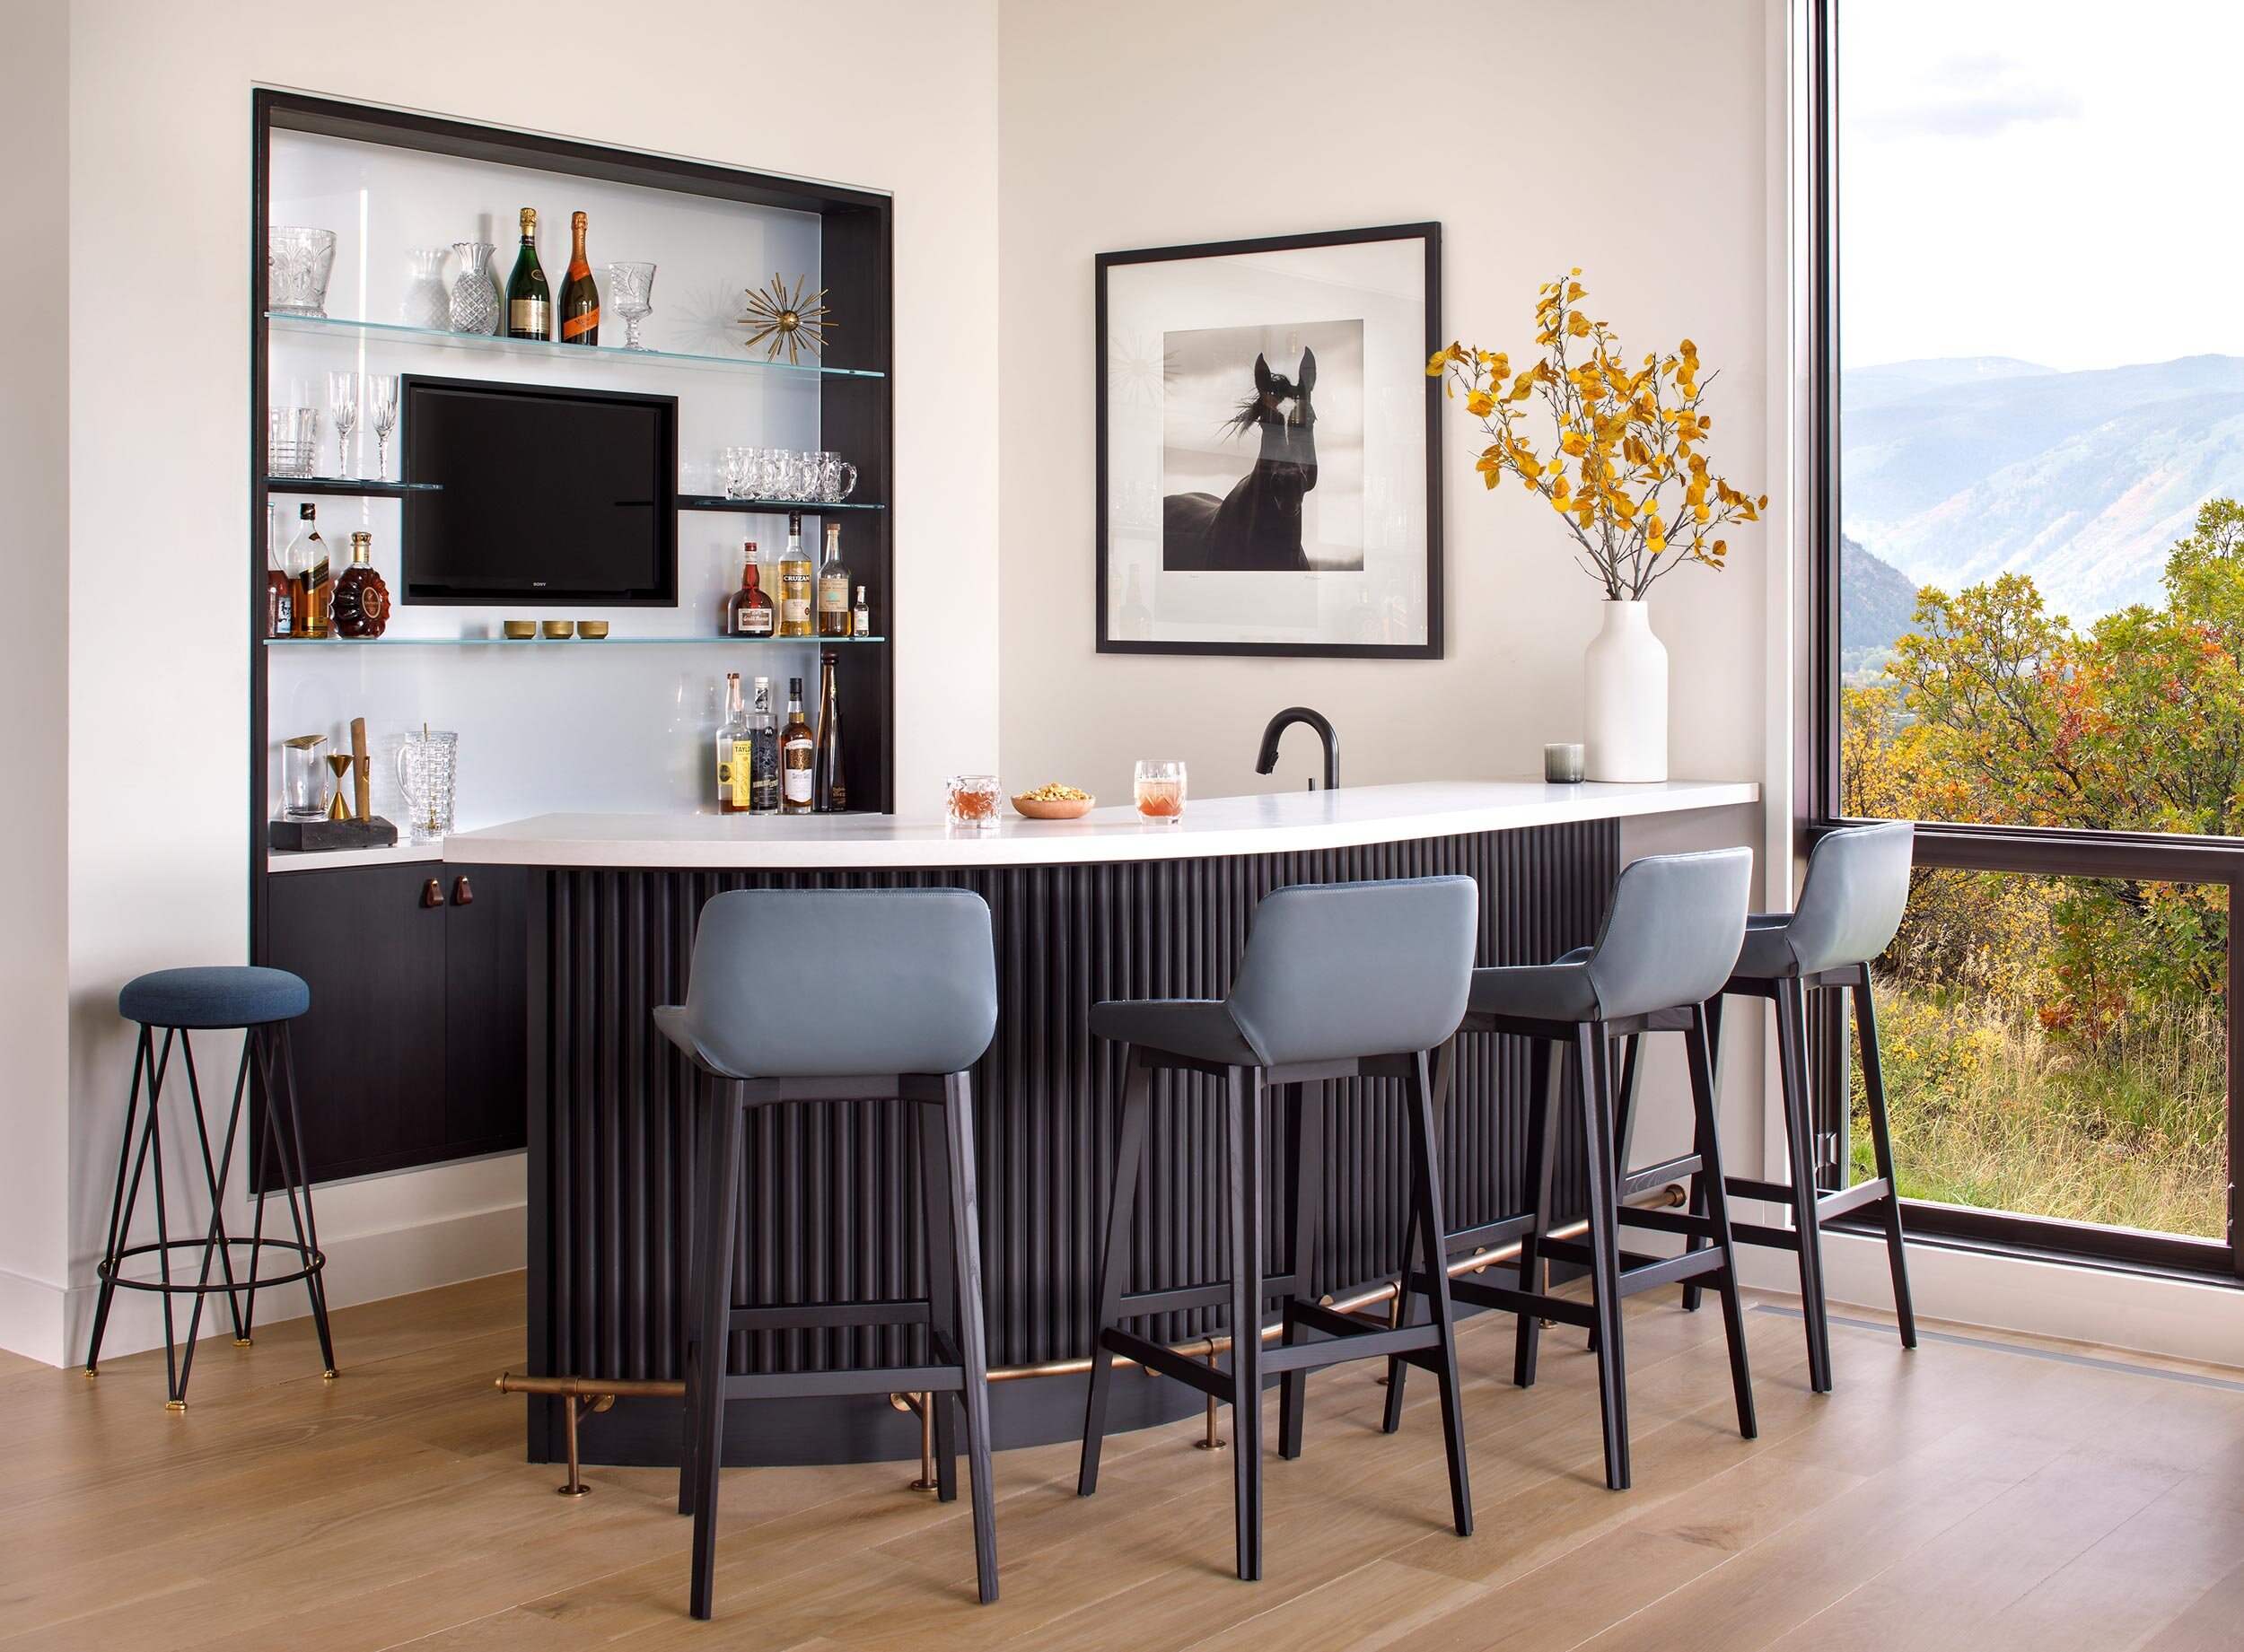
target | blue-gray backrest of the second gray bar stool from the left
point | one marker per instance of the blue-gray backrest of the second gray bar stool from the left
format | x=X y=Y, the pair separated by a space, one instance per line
x=1345 y=971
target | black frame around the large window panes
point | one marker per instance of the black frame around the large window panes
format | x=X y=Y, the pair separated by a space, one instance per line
x=2005 y=850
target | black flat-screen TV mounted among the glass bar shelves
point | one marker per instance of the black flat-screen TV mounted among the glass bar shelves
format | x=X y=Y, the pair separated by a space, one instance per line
x=542 y=495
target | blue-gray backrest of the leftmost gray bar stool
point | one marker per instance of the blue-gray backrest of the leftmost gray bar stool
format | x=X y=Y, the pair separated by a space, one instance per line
x=843 y=982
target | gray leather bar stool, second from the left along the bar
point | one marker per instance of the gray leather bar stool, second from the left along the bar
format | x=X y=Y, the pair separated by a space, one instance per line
x=1339 y=982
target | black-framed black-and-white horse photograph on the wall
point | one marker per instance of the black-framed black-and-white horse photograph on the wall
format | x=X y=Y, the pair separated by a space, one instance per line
x=1269 y=461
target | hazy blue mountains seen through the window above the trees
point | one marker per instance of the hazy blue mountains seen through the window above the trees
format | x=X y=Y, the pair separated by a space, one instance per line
x=1967 y=468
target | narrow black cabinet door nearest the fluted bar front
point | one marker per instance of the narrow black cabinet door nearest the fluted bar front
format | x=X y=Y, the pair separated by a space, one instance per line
x=486 y=1009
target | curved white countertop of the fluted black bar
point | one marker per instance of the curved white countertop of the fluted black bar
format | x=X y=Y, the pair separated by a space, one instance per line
x=1256 y=825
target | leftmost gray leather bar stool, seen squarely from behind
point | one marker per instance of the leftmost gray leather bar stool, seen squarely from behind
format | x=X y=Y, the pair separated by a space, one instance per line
x=838 y=995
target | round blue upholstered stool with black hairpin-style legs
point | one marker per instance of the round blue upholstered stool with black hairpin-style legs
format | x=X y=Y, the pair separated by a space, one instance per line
x=176 y=1002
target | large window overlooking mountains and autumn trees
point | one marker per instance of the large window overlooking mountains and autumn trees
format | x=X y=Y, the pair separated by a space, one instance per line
x=2034 y=576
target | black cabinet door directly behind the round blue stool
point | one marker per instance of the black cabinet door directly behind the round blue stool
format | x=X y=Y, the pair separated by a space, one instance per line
x=371 y=1049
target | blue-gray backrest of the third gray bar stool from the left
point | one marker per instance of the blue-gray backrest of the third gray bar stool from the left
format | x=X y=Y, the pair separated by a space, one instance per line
x=1673 y=933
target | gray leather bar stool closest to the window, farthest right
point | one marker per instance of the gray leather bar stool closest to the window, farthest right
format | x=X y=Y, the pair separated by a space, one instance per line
x=1850 y=910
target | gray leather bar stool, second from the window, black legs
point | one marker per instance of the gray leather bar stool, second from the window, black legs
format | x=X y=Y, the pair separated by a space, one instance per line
x=1671 y=942
